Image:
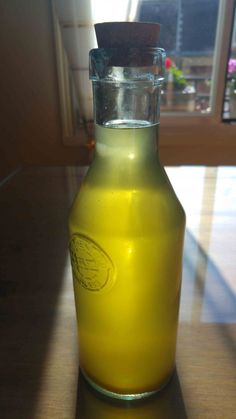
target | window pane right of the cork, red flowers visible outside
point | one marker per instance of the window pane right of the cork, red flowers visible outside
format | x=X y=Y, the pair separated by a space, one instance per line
x=188 y=35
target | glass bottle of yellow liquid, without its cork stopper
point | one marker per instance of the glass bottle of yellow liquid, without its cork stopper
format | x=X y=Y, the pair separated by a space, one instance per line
x=126 y=233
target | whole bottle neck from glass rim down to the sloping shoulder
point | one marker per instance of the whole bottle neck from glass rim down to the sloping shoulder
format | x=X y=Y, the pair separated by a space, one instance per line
x=126 y=92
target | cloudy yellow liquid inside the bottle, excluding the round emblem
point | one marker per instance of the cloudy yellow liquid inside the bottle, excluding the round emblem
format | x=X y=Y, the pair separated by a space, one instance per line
x=126 y=206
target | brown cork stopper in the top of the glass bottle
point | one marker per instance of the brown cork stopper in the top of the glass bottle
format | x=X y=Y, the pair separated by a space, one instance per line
x=127 y=34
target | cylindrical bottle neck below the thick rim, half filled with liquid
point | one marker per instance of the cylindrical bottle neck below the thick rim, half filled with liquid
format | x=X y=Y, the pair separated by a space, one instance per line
x=126 y=119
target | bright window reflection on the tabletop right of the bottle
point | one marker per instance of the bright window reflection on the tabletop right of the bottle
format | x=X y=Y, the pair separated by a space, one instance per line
x=209 y=286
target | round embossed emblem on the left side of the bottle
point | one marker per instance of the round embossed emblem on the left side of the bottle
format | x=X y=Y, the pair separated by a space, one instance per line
x=91 y=266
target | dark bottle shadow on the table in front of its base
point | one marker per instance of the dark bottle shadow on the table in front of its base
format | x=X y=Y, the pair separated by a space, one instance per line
x=167 y=404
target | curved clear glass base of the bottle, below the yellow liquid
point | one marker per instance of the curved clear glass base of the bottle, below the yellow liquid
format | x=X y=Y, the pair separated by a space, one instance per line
x=120 y=396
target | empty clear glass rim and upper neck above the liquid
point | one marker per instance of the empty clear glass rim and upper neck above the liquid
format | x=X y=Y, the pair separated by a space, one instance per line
x=126 y=84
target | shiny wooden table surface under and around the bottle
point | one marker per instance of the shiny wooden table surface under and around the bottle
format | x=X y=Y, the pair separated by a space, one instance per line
x=38 y=342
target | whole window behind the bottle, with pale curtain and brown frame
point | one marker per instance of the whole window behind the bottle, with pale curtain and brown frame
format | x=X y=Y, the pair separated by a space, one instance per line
x=196 y=35
